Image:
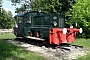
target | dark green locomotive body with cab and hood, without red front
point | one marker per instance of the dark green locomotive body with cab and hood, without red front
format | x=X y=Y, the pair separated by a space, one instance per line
x=37 y=24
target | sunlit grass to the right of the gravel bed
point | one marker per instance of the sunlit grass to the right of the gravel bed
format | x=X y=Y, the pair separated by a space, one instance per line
x=85 y=43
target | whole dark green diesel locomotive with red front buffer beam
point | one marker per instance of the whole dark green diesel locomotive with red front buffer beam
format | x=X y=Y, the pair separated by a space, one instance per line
x=38 y=25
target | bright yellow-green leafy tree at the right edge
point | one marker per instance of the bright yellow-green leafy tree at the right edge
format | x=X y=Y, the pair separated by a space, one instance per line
x=81 y=15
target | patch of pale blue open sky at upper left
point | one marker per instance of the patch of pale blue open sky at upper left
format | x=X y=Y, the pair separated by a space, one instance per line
x=8 y=7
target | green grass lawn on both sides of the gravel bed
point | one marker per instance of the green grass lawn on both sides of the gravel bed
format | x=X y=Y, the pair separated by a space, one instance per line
x=12 y=52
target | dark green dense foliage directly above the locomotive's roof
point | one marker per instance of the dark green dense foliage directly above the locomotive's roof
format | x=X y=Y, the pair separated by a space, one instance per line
x=52 y=5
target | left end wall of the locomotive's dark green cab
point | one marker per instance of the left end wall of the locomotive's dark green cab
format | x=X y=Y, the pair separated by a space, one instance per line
x=18 y=25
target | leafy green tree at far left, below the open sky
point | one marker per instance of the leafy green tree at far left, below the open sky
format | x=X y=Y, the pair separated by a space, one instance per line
x=6 y=19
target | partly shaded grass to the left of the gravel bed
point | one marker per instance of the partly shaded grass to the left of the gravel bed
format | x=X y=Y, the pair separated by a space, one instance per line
x=11 y=52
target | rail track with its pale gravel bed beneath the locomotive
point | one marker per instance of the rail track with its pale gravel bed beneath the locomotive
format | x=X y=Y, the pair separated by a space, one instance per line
x=59 y=52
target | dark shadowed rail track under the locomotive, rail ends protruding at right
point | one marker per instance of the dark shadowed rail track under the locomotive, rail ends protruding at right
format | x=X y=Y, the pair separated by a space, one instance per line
x=62 y=47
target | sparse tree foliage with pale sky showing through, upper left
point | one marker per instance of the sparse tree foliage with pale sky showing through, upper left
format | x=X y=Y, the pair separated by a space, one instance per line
x=24 y=5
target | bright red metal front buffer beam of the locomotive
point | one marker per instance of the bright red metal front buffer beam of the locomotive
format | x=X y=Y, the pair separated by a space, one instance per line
x=57 y=36
